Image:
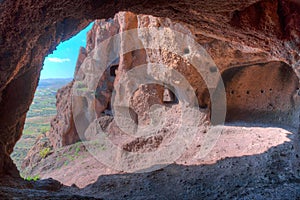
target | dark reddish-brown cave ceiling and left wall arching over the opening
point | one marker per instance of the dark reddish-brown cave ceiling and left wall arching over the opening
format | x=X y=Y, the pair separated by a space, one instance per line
x=234 y=33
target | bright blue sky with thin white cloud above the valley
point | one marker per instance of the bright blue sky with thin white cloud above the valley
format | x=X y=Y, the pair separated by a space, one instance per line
x=61 y=63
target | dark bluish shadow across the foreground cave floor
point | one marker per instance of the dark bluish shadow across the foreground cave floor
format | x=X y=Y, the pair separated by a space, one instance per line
x=267 y=175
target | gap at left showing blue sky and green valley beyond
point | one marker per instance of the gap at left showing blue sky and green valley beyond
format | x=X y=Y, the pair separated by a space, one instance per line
x=55 y=80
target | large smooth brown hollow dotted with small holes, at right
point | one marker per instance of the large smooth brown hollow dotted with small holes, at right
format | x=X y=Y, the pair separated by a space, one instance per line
x=263 y=93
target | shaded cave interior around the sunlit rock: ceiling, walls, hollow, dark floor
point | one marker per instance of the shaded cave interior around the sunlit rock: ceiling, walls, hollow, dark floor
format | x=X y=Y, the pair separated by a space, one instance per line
x=246 y=39
